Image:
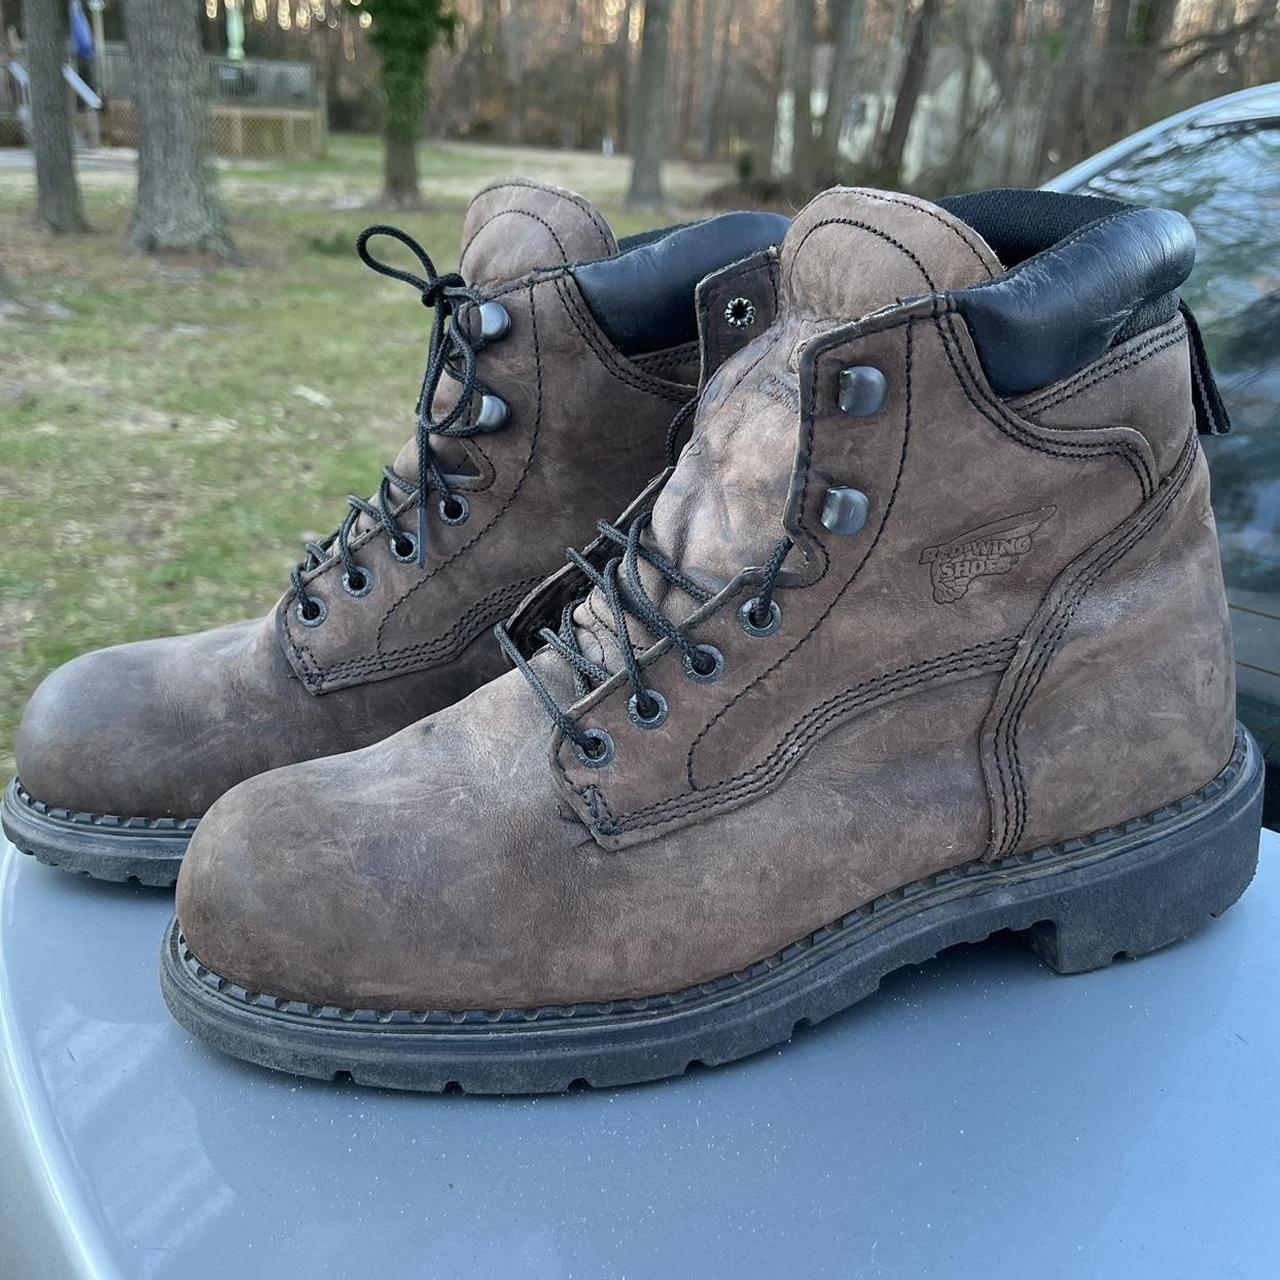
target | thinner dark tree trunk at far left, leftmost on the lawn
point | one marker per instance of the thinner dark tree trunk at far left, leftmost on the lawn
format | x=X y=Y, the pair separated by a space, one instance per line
x=58 y=199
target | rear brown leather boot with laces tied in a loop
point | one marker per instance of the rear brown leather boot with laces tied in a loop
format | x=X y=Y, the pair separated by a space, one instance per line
x=559 y=360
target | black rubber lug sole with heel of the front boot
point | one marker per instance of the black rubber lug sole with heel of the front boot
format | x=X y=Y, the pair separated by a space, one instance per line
x=1082 y=904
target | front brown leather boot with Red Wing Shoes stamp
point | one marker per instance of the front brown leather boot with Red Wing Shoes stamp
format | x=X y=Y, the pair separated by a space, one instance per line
x=924 y=638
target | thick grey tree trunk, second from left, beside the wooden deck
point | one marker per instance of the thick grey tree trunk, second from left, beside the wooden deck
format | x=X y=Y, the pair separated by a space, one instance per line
x=179 y=209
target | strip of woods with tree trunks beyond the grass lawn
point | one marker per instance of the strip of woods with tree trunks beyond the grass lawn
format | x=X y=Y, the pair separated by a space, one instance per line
x=924 y=95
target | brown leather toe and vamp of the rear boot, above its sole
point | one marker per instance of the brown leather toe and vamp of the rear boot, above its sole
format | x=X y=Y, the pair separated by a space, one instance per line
x=163 y=728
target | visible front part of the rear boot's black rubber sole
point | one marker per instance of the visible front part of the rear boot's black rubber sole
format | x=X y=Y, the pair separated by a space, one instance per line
x=140 y=851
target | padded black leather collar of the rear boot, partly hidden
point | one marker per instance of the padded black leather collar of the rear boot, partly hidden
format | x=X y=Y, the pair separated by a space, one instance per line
x=644 y=298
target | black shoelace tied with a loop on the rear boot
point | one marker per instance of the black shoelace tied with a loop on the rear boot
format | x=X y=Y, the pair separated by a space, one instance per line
x=450 y=354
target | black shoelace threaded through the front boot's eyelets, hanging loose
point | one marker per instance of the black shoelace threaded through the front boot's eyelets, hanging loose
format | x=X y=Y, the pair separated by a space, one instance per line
x=625 y=595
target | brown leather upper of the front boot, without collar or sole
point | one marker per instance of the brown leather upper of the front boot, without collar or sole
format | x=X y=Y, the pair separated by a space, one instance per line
x=455 y=866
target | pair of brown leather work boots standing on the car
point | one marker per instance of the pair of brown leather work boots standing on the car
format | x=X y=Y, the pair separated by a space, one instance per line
x=921 y=636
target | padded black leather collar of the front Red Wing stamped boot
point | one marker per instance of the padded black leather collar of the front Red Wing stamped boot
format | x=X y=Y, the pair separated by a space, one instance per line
x=1063 y=308
